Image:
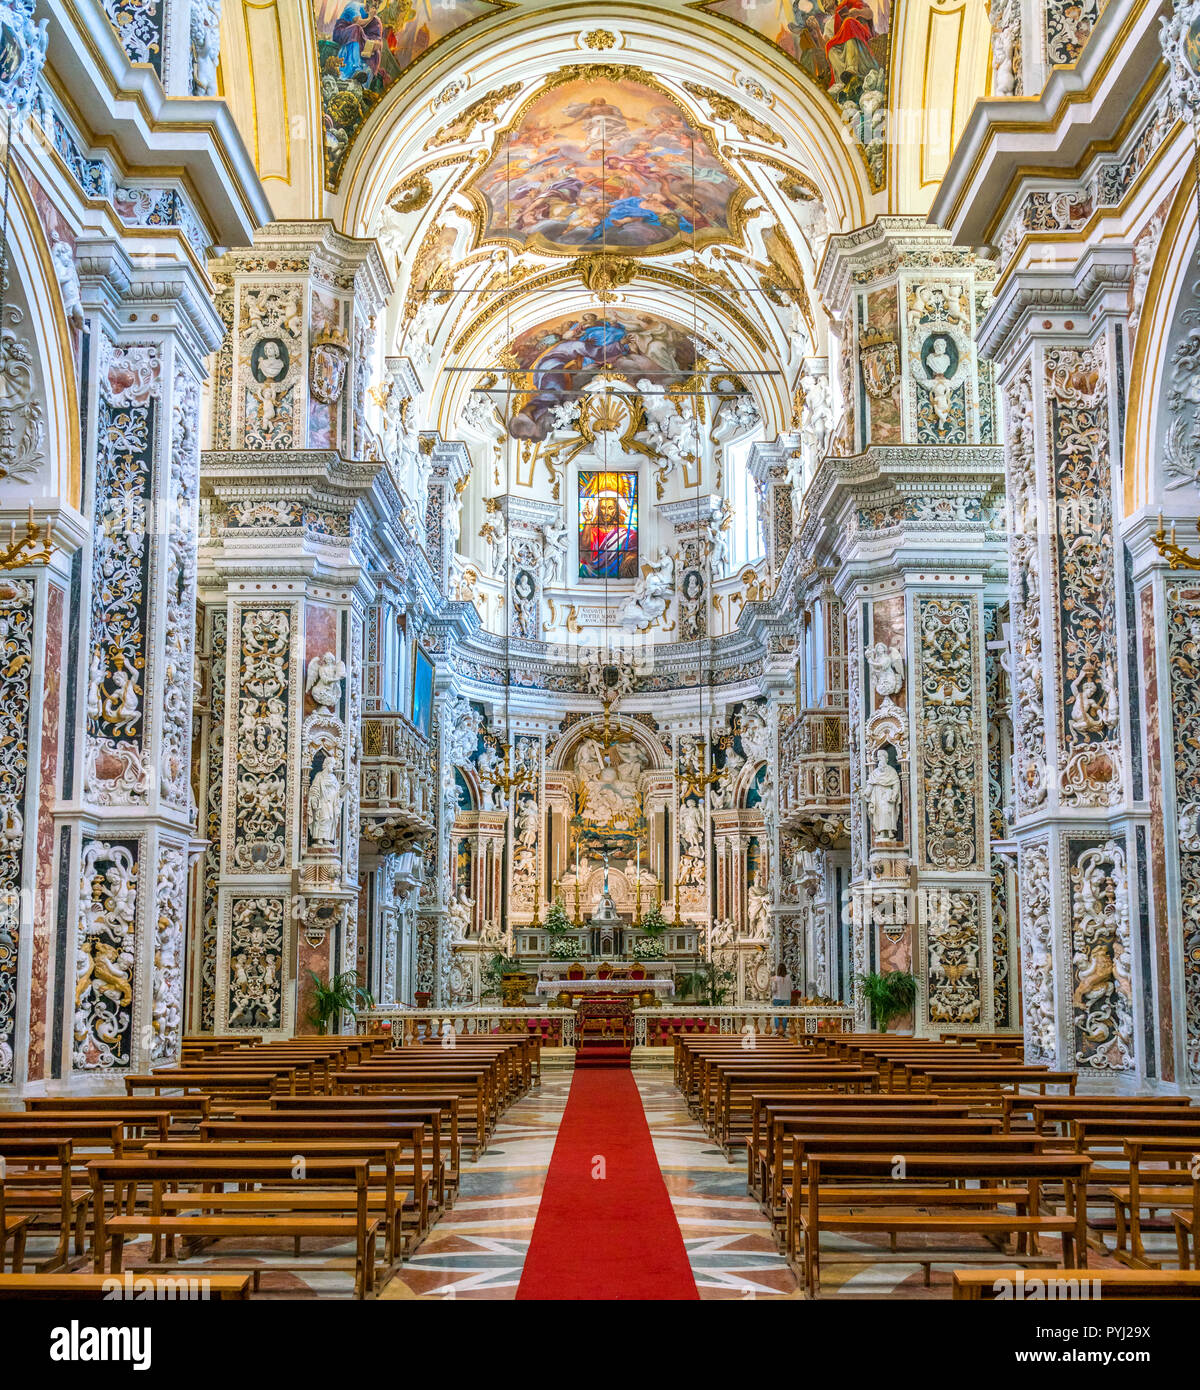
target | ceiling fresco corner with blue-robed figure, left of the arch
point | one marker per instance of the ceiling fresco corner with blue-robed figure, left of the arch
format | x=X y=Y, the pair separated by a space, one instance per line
x=365 y=47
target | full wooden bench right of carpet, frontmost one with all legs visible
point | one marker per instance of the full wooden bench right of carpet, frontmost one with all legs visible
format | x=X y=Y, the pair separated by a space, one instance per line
x=831 y=1202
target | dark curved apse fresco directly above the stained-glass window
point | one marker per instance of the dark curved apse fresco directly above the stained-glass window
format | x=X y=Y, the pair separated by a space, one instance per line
x=564 y=355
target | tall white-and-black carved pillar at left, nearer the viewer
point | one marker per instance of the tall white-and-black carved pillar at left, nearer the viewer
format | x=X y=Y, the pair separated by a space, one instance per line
x=127 y=814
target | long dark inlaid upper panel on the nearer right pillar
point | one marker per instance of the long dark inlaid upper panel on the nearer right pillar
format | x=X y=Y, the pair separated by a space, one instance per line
x=1085 y=611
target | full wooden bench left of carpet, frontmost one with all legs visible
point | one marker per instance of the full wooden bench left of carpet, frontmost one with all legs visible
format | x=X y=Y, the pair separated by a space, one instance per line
x=113 y=1179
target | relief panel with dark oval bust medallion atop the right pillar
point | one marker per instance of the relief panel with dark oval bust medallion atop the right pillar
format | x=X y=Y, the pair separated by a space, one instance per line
x=941 y=355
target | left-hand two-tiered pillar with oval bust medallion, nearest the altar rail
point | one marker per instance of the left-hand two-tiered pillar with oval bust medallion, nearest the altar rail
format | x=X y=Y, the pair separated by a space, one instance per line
x=286 y=582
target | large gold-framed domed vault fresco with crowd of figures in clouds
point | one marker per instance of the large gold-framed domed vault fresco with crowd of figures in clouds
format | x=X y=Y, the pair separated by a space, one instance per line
x=600 y=166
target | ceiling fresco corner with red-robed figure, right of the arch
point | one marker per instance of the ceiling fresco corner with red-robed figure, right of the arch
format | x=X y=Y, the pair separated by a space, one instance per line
x=842 y=45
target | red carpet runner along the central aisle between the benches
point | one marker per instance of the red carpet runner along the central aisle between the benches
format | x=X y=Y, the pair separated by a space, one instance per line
x=614 y=1236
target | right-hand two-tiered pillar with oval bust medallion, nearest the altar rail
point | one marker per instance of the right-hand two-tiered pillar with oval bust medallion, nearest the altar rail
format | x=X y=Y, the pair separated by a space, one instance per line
x=913 y=516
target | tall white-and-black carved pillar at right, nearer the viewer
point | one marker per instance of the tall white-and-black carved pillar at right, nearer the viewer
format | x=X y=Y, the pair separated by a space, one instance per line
x=1080 y=828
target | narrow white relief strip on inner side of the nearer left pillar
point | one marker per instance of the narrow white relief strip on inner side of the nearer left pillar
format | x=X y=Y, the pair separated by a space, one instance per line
x=180 y=635
